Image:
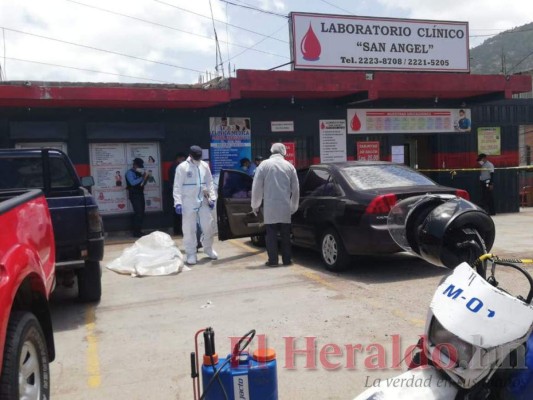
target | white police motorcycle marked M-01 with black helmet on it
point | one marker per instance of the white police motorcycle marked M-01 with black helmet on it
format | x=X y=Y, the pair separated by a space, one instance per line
x=478 y=341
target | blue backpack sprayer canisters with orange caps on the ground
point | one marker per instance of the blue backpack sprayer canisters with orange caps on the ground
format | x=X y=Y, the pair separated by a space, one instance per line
x=242 y=376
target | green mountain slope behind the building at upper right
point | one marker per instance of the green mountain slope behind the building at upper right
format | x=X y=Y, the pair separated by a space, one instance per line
x=508 y=52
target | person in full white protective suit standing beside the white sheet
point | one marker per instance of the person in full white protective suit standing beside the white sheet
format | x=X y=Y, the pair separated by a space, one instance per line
x=194 y=198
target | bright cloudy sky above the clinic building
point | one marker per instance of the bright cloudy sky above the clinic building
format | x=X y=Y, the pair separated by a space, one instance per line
x=173 y=41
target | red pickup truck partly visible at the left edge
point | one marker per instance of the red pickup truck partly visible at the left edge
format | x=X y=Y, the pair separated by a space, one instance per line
x=27 y=257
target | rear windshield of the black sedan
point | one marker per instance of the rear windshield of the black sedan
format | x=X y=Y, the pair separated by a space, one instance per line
x=384 y=176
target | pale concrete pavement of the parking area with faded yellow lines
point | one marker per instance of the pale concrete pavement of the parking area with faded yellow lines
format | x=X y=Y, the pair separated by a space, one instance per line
x=136 y=342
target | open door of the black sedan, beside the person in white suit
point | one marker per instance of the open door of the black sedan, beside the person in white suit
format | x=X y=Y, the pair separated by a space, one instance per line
x=235 y=218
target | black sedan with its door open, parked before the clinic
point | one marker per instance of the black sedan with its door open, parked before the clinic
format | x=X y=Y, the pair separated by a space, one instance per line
x=343 y=207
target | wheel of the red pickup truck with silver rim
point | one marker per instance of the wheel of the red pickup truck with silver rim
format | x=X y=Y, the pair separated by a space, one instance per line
x=26 y=373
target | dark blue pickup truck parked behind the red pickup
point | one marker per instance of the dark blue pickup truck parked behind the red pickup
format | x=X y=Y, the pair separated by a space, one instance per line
x=77 y=224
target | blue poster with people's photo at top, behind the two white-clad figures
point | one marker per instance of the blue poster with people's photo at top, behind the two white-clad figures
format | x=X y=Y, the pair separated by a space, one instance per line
x=230 y=142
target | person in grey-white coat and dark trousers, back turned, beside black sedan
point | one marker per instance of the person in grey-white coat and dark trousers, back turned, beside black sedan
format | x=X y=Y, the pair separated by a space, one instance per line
x=276 y=185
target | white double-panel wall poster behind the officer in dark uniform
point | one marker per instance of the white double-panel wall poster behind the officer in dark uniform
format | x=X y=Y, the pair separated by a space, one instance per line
x=109 y=164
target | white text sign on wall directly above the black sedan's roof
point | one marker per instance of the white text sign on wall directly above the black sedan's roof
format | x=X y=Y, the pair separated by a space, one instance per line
x=332 y=140
